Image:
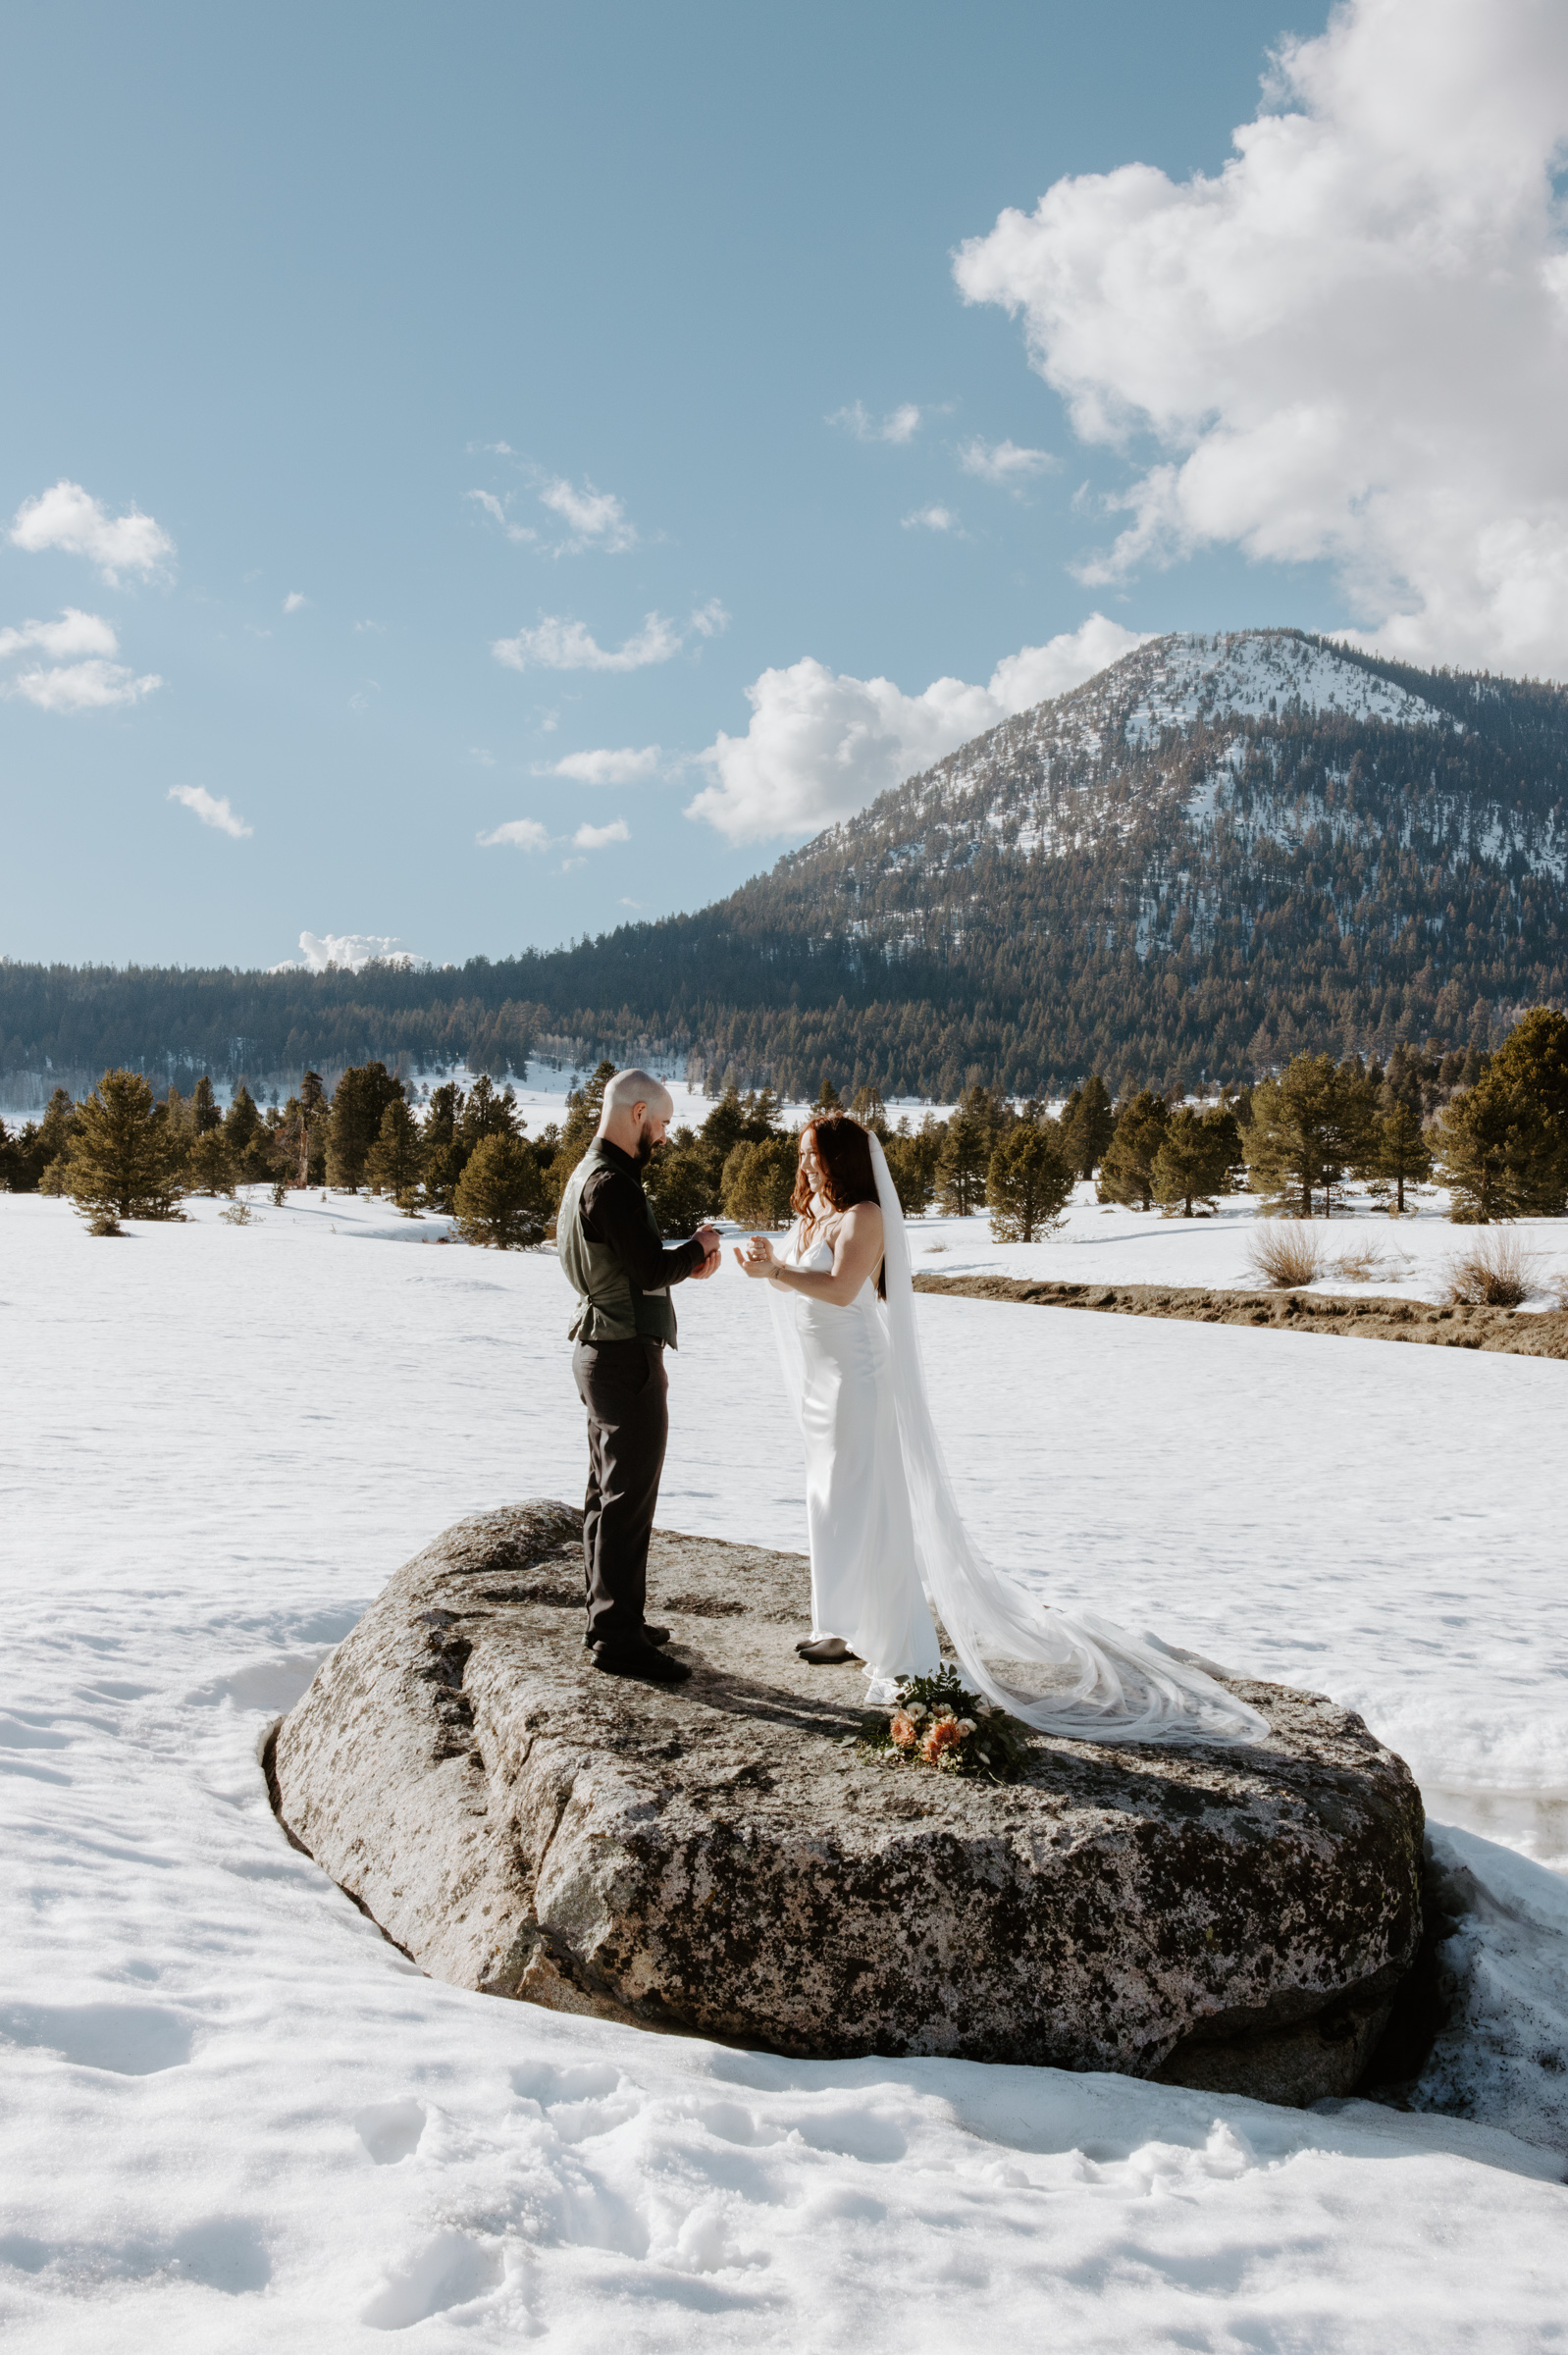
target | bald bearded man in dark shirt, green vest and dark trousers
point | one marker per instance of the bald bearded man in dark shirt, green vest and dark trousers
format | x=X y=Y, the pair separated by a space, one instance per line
x=623 y=1273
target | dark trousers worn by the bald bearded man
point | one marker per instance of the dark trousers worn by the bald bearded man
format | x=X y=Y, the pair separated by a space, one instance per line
x=625 y=1388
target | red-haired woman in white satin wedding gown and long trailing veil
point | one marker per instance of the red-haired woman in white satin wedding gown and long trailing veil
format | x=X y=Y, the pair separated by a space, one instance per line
x=886 y=1537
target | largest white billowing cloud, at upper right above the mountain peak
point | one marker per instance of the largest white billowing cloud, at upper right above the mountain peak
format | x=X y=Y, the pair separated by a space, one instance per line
x=1350 y=343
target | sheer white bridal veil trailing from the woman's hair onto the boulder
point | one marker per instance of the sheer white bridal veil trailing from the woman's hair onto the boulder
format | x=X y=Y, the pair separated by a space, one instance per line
x=1079 y=1676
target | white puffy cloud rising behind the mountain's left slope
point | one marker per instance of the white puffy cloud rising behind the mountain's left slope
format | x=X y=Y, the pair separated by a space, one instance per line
x=823 y=748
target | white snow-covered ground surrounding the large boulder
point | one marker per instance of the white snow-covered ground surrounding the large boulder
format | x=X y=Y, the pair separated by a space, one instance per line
x=237 y=2118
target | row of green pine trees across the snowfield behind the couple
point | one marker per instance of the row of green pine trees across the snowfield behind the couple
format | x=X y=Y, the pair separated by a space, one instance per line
x=1491 y=1127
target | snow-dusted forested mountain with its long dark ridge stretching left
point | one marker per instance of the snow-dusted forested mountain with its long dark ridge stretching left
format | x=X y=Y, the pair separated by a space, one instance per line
x=1207 y=858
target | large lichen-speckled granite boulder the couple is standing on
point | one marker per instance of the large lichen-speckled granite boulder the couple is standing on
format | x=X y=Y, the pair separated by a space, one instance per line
x=719 y=1859
